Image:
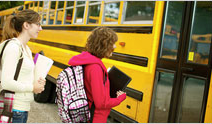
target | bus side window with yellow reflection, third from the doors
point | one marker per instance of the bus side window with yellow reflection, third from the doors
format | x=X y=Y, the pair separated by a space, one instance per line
x=93 y=12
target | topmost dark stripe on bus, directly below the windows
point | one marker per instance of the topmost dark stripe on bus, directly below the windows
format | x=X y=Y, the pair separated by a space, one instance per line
x=118 y=29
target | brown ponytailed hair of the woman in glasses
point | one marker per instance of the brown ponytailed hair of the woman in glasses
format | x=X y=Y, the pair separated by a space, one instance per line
x=14 y=23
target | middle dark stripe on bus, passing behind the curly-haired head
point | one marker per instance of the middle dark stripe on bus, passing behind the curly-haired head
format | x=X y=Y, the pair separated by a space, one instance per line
x=137 y=60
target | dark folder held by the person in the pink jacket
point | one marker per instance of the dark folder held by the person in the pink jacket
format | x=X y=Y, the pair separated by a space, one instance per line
x=118 y=81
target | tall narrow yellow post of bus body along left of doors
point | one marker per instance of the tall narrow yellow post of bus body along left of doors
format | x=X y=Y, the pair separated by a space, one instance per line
x=143 y=110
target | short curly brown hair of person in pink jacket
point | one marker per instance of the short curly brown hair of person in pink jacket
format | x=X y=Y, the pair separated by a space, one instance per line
x=100 y=42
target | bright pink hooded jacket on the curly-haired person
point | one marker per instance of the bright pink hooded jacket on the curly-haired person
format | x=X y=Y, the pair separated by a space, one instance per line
x=96 y=90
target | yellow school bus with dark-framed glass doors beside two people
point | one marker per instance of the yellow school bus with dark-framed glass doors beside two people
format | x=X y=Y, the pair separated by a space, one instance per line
x=164 y=46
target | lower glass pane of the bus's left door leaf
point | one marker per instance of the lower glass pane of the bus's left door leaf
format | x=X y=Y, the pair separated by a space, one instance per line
x=162 y=97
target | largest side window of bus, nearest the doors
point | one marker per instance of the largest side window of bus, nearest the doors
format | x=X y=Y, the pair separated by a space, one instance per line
x=139 y=12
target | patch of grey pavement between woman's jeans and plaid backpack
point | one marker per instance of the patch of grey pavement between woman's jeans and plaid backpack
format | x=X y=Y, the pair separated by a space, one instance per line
x=43 y=113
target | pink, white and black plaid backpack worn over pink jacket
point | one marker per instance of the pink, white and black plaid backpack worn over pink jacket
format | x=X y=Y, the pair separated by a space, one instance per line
x=71 y=98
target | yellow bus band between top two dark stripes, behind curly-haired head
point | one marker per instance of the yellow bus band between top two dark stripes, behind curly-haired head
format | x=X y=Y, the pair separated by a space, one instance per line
x=135 y=44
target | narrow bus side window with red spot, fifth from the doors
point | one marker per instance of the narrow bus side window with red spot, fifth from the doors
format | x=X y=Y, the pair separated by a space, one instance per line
x=69 y=12
